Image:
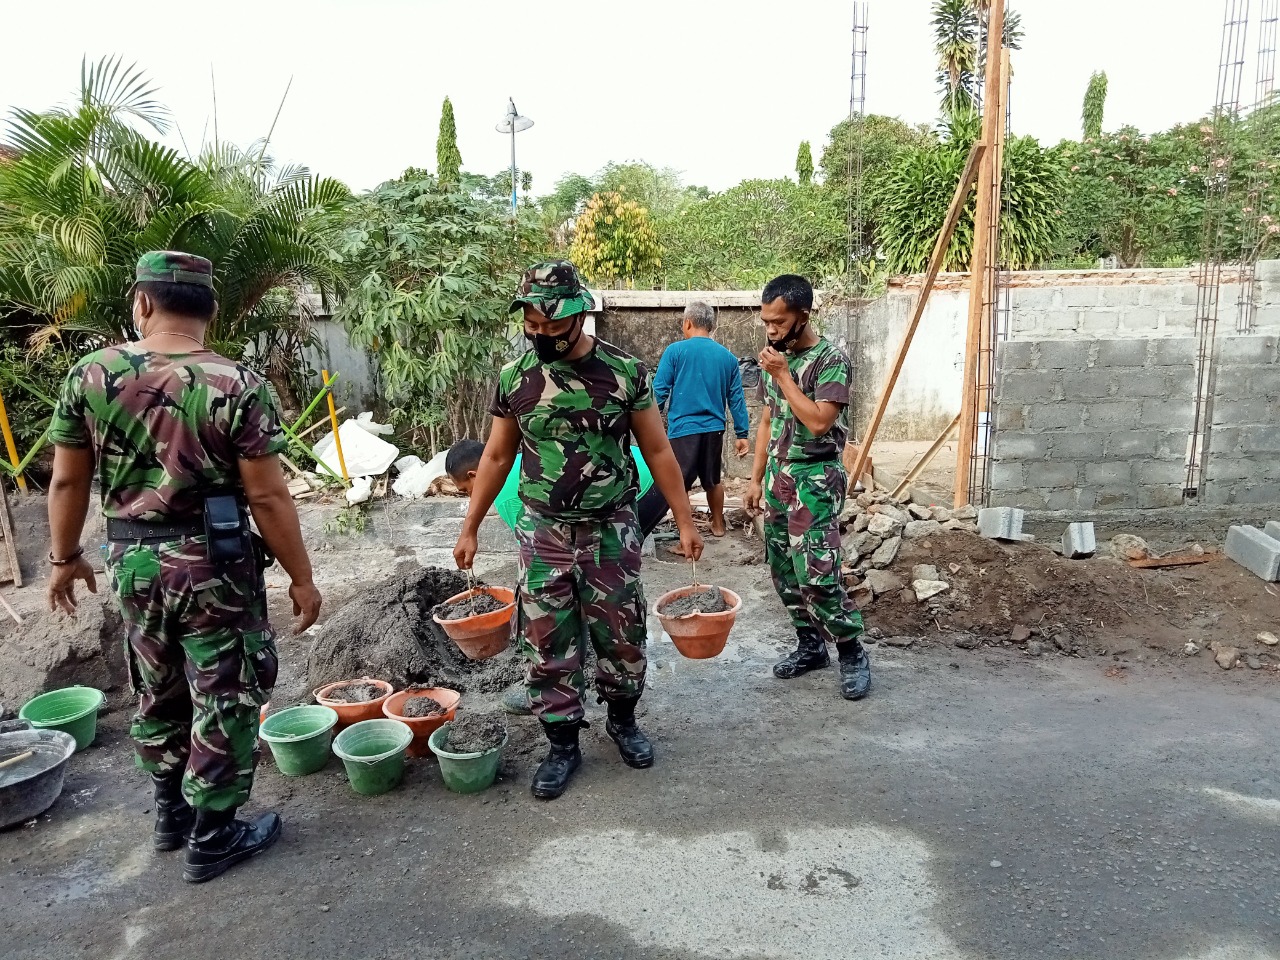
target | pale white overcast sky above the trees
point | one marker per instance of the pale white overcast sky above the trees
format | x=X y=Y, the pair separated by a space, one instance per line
x=721 y=92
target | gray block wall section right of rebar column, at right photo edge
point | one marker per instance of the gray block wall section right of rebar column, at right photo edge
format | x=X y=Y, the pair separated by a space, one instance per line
x=1244 y=464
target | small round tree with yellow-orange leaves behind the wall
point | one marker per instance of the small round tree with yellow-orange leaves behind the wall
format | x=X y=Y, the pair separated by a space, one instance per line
x=615 y=240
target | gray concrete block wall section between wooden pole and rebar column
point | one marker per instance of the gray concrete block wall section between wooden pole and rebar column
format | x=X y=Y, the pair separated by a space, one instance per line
x=1092 y=424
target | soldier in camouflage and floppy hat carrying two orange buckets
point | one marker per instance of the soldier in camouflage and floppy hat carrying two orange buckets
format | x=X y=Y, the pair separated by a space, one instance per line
x=570 y=406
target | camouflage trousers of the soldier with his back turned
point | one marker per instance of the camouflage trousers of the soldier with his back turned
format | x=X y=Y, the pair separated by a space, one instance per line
x=202 y=660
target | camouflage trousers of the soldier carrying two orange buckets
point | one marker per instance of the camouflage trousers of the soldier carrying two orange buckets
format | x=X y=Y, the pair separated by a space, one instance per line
x=574 y=575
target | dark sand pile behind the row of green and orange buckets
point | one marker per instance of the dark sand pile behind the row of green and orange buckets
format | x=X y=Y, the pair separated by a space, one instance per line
x=388 y=633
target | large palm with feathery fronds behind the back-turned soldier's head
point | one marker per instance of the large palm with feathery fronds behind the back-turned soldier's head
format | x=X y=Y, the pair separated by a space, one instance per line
x=89 y=193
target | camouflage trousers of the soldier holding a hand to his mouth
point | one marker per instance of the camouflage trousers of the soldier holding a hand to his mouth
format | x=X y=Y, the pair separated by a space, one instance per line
x=802 y=546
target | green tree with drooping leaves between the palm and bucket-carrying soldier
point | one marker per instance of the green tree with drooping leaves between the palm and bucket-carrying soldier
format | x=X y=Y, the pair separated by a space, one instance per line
x=431 y=273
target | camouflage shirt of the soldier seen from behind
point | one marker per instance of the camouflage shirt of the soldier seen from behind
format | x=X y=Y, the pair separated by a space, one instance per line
x=167 y=429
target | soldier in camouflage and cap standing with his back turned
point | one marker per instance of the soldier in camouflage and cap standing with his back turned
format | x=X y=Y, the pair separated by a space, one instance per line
x=163 y=424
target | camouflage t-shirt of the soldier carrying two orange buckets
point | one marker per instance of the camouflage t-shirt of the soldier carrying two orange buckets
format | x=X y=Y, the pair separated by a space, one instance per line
x=575 y=428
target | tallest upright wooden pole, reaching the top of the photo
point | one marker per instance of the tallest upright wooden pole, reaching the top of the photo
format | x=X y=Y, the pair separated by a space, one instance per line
x=982 y=253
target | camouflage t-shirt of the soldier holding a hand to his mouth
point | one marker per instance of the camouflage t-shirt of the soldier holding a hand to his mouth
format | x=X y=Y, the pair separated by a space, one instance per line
x=824 y=374
